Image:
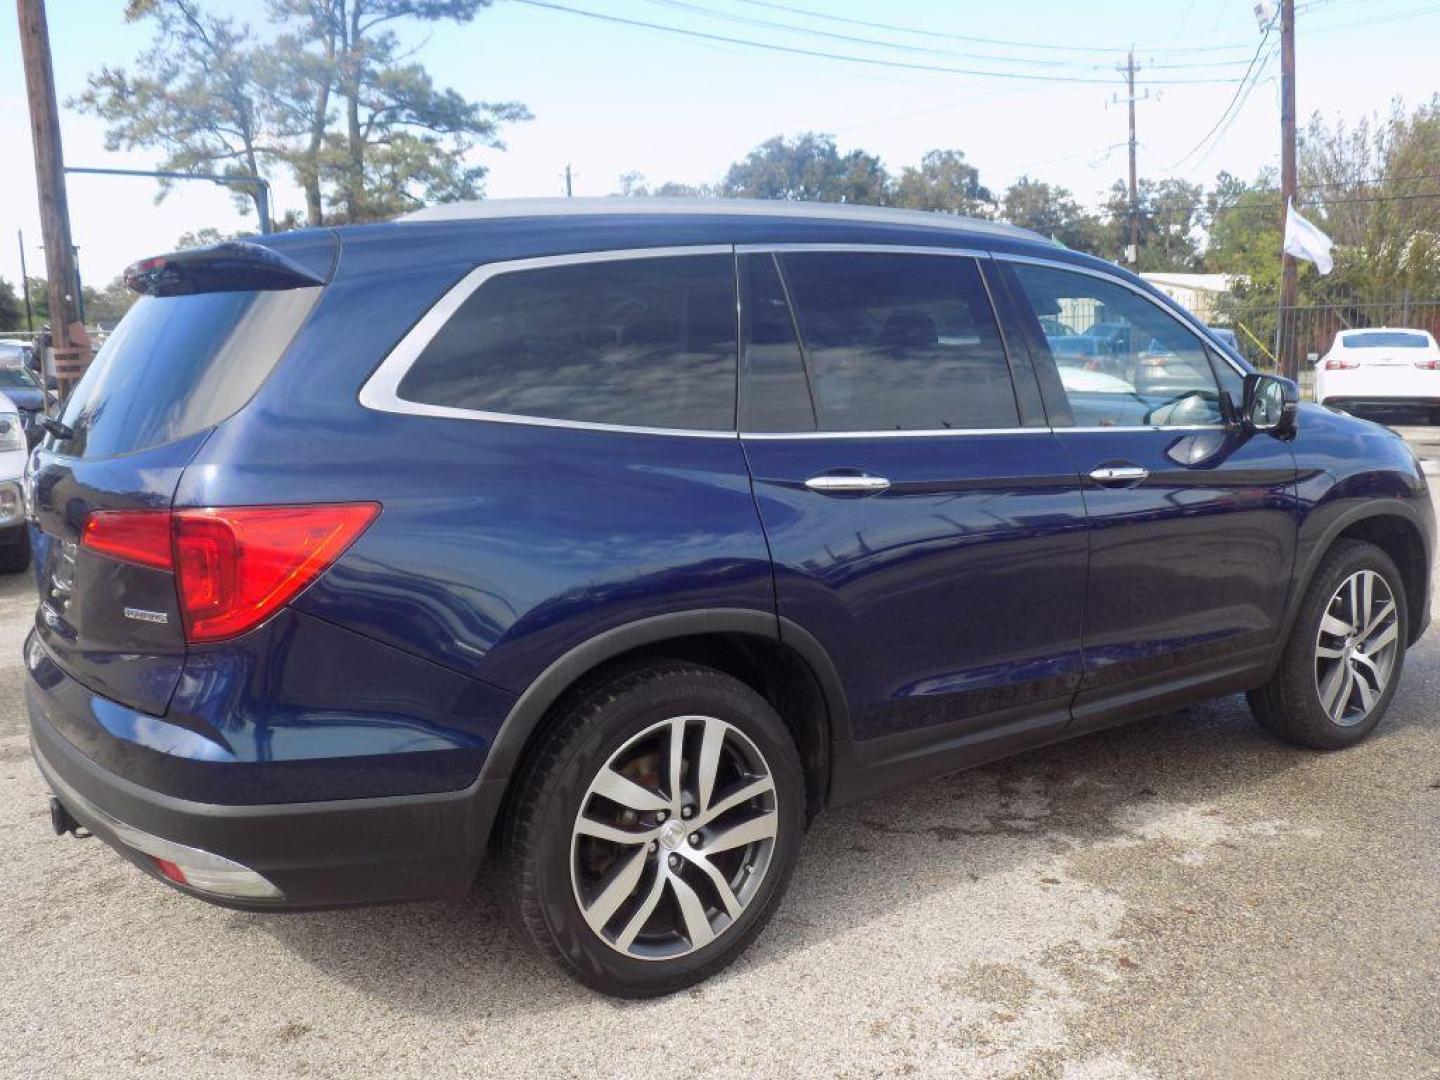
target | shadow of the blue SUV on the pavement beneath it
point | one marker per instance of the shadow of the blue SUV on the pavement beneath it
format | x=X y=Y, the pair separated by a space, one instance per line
x=462 y=960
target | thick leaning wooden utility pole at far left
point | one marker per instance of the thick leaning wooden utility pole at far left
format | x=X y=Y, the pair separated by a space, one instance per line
x=68 y=335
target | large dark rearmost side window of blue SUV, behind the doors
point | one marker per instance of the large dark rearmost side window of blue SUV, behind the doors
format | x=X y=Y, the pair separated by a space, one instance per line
x=646 y=343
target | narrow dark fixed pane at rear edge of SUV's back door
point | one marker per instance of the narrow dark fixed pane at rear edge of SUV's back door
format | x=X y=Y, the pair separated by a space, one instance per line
x=774 y=391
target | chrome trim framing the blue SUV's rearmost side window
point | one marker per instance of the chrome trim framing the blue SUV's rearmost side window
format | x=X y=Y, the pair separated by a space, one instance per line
x=381 y=391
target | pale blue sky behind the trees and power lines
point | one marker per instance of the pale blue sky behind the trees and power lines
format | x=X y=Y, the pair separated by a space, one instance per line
x=613 y=99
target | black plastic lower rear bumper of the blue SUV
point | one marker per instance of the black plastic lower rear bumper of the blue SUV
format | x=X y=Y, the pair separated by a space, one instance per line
x=318 y=855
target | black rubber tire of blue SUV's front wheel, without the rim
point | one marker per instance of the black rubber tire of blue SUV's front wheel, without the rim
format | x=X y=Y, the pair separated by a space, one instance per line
x=1290 y=705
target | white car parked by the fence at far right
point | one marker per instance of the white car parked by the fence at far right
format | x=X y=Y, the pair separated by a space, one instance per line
x=1382 y=369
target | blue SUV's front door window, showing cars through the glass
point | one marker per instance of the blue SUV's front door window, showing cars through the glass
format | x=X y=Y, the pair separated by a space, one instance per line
x=1122 y=359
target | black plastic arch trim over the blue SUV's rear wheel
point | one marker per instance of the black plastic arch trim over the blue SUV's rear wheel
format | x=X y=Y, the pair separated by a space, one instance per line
x=549 y=686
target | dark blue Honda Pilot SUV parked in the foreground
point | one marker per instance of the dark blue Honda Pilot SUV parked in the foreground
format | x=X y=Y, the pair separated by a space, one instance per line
x=600 y=548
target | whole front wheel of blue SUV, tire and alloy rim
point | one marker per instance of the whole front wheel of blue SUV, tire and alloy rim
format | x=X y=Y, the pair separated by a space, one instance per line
x=1347 y=649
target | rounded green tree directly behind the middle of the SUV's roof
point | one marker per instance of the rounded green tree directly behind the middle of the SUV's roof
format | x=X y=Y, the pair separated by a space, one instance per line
x=809 y=168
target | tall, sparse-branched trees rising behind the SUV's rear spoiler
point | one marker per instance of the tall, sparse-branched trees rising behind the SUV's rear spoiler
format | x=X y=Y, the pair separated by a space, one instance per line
x=329 y=94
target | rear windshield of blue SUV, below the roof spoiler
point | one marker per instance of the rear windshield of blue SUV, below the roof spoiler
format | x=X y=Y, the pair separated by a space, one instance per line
x=179 y=365
